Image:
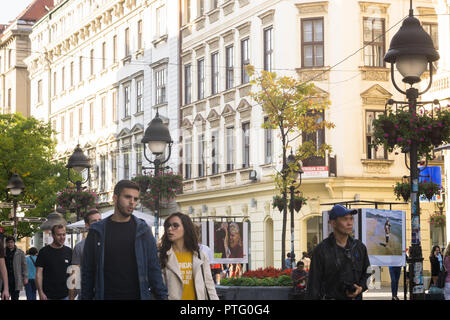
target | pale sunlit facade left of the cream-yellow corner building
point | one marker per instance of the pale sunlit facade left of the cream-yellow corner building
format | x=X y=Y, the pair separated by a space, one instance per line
x=99 y=71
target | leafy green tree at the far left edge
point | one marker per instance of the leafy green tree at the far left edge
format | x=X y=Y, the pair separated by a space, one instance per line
x=27 y=148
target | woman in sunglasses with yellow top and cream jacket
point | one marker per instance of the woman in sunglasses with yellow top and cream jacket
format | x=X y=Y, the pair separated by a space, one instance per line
x=185 y=268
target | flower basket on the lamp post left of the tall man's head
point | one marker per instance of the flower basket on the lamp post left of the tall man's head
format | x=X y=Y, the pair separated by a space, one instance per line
x=71 y=199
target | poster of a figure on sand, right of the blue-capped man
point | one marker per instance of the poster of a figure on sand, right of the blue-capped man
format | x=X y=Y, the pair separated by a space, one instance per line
x=383 y=233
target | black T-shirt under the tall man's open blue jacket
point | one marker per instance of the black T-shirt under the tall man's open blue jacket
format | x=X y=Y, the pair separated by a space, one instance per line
x=121 y=273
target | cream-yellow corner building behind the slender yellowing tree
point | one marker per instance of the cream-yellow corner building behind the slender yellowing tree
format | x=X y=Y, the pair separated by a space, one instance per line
x=339 y=45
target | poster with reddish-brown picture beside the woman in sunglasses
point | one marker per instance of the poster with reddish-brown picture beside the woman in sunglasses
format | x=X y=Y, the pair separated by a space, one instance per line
x=229 y=241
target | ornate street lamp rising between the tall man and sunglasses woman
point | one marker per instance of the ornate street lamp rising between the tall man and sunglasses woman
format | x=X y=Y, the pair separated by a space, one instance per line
x=157 y=137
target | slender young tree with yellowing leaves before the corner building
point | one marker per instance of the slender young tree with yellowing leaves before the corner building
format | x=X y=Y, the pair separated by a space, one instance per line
x=293 y=108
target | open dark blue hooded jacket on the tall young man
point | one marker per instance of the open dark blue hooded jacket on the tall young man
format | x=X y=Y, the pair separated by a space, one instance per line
x=149 y=271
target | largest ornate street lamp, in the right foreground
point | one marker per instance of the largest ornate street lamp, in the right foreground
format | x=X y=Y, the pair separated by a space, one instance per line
x=412 y=50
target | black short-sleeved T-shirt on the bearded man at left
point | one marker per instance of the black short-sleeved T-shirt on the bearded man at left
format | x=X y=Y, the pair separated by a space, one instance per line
x=54 y=263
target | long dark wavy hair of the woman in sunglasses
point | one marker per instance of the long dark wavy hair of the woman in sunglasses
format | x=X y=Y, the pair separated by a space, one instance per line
x=190 y=237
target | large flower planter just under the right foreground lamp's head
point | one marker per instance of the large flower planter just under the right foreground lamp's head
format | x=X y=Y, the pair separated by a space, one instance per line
x=427 y=128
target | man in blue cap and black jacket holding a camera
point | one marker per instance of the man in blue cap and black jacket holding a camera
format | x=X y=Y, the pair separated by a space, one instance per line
x=339 y=263
